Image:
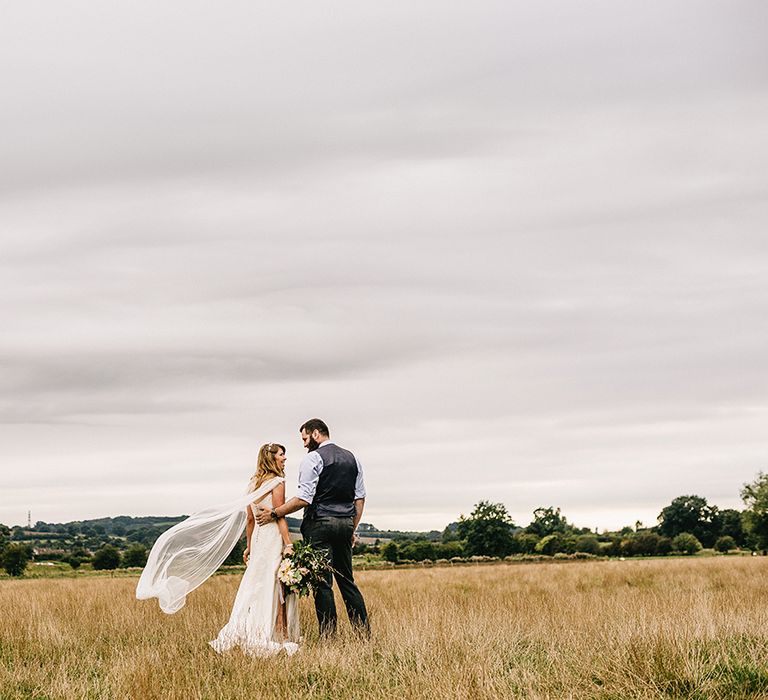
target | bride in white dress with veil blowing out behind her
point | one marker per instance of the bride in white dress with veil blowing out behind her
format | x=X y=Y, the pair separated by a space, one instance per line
x=263 y=621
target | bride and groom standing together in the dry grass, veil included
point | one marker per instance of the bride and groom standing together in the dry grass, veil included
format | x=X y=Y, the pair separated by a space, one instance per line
x=265 y=621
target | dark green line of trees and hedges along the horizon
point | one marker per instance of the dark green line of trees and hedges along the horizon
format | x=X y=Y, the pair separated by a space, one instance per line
x=685 y=526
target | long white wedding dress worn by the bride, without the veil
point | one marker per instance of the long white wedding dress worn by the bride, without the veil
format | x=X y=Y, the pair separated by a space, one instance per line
x=253 y=623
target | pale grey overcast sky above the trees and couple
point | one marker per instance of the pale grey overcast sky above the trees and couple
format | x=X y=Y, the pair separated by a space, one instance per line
x=513 y=251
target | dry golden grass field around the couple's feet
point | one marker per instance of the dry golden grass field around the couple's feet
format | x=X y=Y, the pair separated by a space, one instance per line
x=682 y=628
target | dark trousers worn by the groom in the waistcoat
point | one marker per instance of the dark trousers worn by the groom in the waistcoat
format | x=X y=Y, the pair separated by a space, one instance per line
x=333 y=536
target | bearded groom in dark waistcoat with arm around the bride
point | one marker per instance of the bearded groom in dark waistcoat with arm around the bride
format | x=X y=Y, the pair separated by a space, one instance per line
x=332 y=493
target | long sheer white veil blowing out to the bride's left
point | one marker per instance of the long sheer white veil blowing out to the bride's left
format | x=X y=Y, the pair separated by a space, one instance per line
x=184 y=556
